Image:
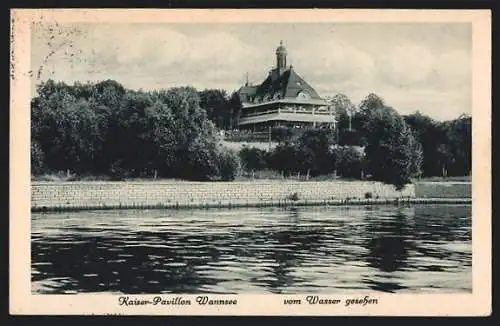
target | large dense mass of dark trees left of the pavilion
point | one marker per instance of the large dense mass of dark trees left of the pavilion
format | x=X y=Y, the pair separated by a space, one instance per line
x=105 y=129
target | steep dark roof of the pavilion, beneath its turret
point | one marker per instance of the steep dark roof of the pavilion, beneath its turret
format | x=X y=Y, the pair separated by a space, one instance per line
x=287 y=85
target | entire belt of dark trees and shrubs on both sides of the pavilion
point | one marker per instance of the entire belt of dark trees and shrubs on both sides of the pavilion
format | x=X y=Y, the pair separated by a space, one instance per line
x=104 y=129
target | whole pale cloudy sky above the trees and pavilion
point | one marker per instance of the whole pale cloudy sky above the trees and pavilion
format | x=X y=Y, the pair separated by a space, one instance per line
x=412 y=66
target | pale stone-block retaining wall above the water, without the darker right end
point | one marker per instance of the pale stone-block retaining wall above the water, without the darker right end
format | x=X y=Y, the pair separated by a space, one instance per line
x=157 y=193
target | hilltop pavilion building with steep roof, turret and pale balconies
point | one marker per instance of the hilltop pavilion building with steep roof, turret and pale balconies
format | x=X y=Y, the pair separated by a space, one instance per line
x=283 y=99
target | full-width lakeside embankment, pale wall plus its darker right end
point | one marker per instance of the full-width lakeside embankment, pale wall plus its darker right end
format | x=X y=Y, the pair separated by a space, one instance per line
x=46 y=196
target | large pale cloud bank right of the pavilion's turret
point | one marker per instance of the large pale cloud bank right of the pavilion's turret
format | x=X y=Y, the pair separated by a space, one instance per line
x=409 y=76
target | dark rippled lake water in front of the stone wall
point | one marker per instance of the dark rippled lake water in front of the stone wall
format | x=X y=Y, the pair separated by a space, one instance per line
x=417 y=249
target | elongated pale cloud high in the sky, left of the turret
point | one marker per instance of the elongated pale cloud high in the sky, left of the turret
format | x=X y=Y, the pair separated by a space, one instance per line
x=157 y=49
